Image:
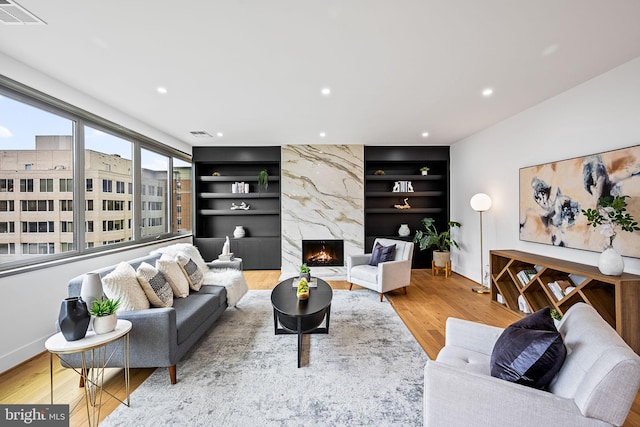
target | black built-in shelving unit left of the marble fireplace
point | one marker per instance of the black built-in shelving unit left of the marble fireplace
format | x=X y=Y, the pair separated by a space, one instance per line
x=213 y=198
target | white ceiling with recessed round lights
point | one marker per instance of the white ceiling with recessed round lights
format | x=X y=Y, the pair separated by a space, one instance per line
x=253 y=69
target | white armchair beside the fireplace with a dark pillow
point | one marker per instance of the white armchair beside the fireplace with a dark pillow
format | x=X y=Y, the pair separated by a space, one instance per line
x=386 y=276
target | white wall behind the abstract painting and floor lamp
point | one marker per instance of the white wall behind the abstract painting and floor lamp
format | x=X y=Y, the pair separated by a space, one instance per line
x=599 y=115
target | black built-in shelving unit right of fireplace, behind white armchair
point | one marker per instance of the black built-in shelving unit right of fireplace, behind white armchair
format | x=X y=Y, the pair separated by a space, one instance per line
x=430 y=197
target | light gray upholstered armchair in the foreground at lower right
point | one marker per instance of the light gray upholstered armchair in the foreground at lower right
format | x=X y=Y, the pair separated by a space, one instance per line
x=596 y=385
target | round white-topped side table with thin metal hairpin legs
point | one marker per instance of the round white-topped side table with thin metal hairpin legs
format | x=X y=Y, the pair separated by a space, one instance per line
x=93 y=350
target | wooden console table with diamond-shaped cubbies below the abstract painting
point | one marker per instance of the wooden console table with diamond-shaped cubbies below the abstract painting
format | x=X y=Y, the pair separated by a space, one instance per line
x=614 y=297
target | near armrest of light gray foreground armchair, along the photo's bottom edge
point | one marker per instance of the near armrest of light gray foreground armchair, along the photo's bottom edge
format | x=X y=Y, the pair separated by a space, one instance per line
x=492 y=401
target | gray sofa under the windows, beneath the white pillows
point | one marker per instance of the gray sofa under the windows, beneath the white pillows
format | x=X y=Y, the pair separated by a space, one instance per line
x=160 y=337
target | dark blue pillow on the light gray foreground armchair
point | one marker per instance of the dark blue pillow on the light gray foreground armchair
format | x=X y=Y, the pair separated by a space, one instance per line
x=529 y=352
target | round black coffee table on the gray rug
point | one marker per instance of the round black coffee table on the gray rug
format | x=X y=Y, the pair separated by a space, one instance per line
x=293 y=316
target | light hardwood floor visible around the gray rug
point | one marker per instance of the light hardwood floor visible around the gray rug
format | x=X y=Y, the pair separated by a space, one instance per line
x=425 y=308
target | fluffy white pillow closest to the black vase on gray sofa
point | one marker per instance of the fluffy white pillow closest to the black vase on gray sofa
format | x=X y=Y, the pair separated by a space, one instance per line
x=123 y=283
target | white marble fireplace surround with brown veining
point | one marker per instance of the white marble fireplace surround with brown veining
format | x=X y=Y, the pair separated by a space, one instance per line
x=322 y=197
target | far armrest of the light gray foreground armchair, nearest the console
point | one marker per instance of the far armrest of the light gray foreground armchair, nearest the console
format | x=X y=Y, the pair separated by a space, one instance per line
x=473 y=336
